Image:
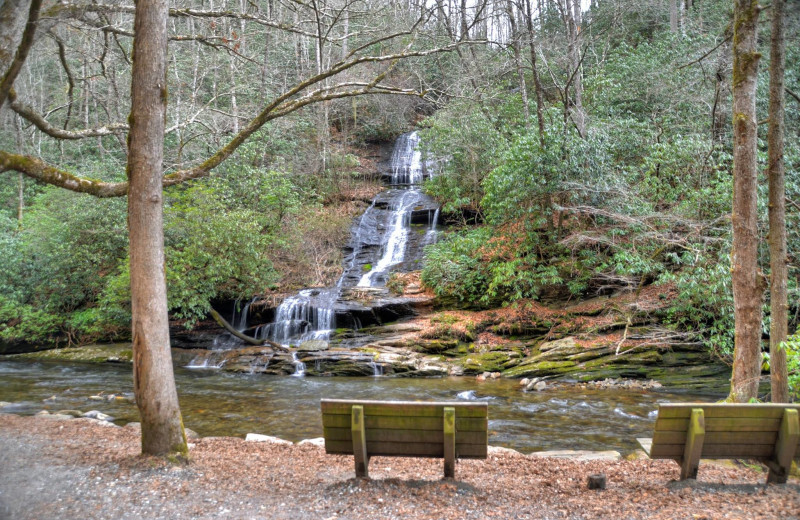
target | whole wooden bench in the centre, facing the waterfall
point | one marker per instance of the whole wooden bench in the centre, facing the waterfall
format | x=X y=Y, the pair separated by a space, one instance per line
x=405 y=429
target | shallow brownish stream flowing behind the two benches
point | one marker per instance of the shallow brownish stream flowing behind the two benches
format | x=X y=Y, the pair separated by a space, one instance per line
x=217 y=403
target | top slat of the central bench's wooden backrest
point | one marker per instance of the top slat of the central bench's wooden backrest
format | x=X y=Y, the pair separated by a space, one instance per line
x=404 y=408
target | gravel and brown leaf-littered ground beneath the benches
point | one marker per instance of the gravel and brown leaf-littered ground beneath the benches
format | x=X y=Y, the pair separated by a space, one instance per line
x=79 y=469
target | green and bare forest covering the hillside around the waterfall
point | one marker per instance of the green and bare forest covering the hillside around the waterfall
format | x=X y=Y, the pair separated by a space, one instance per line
x=577 y=149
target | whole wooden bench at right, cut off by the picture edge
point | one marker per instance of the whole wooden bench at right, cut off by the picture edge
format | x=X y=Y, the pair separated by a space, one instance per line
x=688 y=432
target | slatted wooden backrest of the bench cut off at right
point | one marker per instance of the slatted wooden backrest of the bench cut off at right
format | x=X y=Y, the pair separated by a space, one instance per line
x=731 y=430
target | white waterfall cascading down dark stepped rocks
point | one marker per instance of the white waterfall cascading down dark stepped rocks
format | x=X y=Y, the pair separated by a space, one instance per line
x=397 y=225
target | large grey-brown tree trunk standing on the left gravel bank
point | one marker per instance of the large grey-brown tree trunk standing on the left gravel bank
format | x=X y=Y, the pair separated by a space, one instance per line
x=153 y=379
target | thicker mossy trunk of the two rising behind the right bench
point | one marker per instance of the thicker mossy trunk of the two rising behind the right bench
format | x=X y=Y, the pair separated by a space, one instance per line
x=746 y=277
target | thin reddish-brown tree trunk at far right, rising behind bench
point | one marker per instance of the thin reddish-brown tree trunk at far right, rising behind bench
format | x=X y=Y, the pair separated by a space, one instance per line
x=779 y=325
